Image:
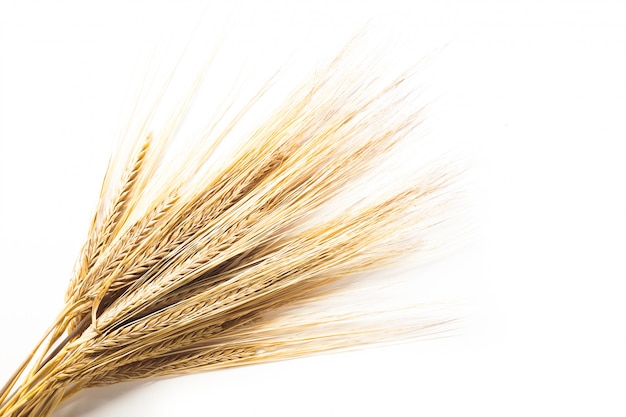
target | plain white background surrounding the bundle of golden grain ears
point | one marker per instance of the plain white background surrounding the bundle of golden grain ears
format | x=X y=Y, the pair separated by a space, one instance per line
x=533 y=92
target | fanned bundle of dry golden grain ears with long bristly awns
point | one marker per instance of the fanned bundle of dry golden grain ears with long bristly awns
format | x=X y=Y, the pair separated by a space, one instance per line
x=204 y=265
